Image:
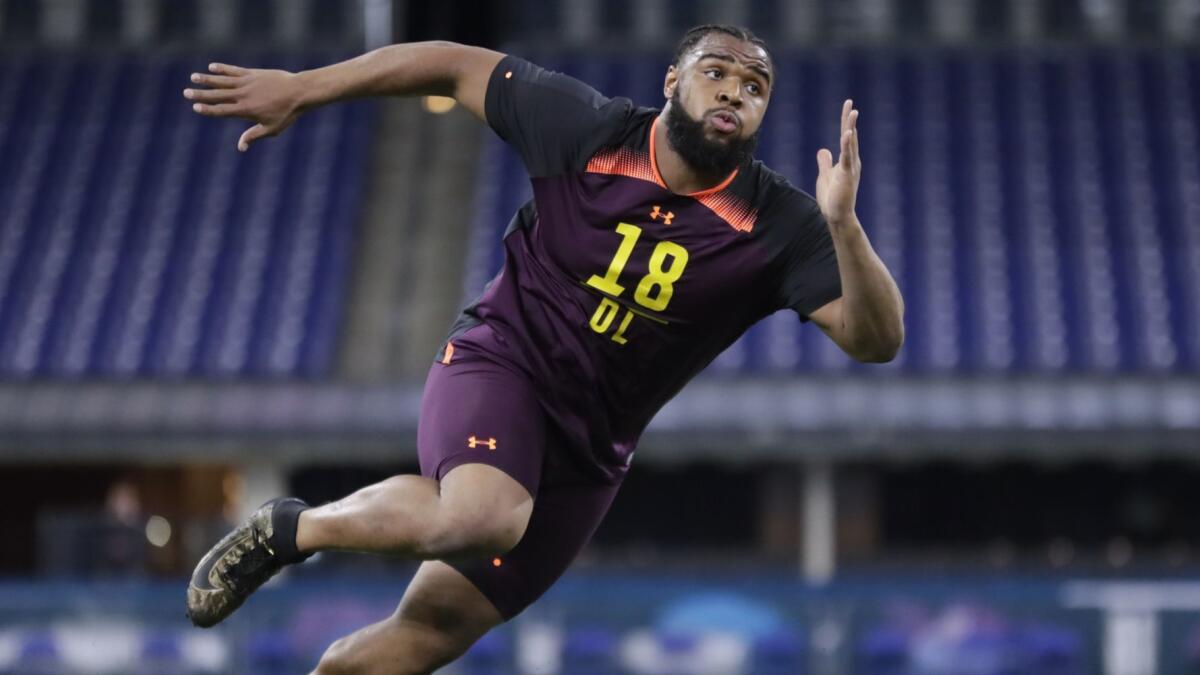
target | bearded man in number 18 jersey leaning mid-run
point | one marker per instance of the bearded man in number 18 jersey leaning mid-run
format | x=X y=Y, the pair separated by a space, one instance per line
x=653 y=242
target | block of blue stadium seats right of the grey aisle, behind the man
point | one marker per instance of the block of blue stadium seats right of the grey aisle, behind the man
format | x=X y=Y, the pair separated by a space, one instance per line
x=1041 y=212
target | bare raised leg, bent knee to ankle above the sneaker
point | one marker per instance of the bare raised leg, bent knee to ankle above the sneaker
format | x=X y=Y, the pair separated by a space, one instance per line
x=476 y=510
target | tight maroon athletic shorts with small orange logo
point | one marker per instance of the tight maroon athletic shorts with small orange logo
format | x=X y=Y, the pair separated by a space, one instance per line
x=476 y=410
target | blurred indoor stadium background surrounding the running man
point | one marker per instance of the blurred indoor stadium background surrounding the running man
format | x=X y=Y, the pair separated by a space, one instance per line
x=187 y=332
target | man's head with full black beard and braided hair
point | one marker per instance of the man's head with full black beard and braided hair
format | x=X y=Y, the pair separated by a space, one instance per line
x=717 y=92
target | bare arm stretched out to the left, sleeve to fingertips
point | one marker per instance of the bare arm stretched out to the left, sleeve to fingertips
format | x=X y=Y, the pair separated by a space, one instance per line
x=274 y=99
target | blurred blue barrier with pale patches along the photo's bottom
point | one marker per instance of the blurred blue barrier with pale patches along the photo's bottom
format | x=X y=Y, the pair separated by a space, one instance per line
x=593 y=624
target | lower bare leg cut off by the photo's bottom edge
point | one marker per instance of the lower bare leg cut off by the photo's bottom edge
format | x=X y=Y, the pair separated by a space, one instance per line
x=440 y=618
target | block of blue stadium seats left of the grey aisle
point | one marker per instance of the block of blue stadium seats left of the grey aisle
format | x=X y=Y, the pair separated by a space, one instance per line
x=135 y=241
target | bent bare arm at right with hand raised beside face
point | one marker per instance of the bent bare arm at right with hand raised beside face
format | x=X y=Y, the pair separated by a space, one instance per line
x=868 y=321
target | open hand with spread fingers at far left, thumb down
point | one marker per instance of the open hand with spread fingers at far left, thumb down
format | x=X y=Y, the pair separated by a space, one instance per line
x=269 y=98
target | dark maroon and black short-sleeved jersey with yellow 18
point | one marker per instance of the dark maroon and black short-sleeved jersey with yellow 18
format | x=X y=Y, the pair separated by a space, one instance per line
x=615 y=291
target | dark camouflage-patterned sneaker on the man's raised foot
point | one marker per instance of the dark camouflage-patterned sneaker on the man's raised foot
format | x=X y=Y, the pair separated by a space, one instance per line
x=235 y=569
